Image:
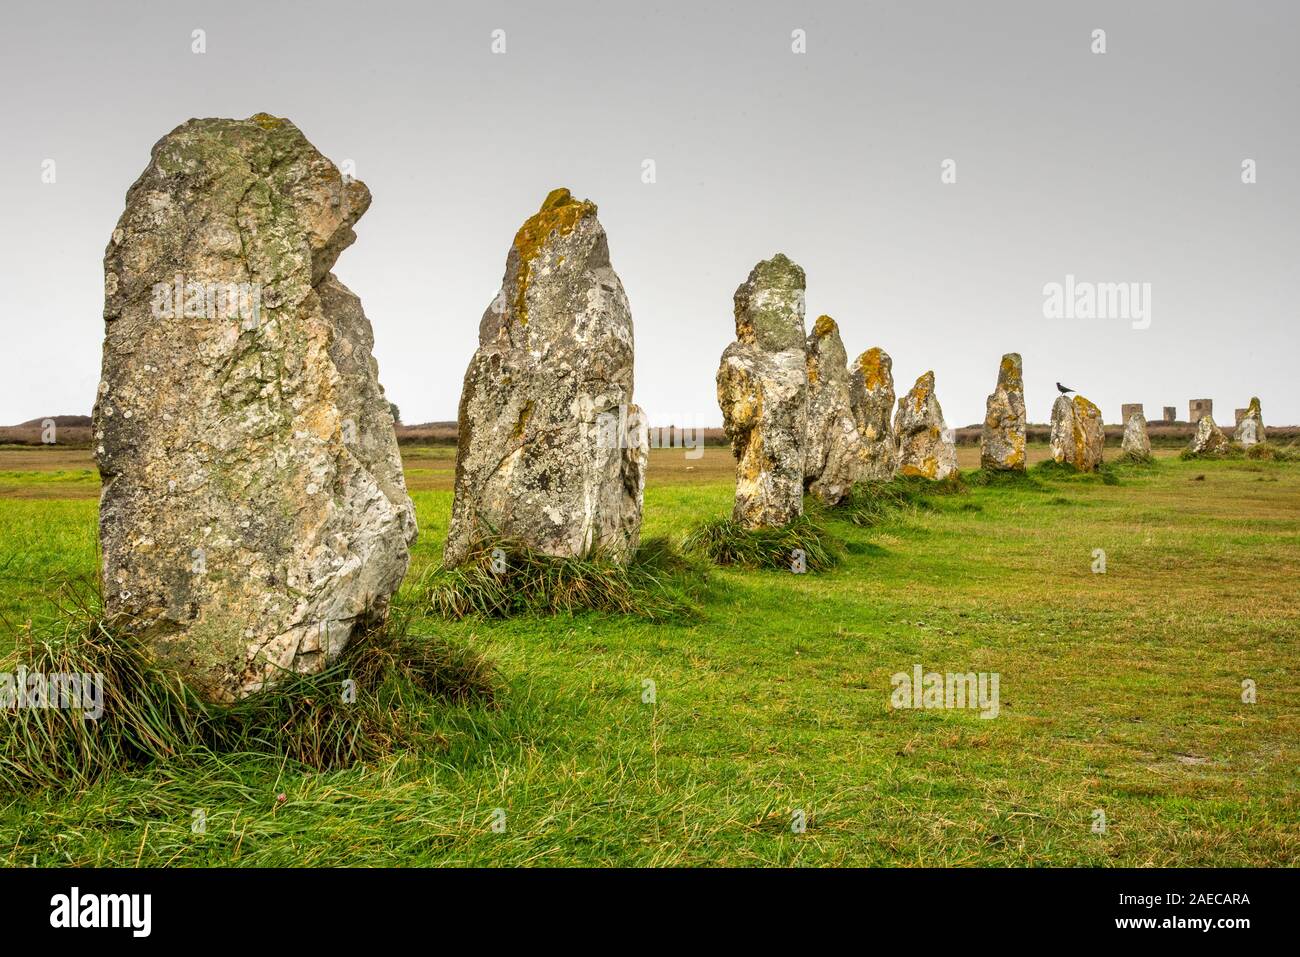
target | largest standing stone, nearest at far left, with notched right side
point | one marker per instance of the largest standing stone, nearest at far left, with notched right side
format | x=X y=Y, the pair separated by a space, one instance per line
x=254 y=513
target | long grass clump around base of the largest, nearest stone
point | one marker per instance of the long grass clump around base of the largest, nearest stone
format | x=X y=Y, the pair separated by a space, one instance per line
x=150 y=716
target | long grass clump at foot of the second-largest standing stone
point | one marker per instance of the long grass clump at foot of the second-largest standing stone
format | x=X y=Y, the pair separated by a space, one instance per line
x=502 y=579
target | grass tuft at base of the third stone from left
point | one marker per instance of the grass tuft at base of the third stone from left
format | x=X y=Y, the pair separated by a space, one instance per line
x=729 y=543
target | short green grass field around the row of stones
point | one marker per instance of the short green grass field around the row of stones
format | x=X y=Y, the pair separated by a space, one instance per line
x=1120 y=692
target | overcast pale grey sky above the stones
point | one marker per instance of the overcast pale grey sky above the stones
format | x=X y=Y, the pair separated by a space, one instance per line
x=1124 y=167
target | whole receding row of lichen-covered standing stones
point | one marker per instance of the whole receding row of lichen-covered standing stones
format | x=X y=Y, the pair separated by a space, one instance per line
x=254 y=513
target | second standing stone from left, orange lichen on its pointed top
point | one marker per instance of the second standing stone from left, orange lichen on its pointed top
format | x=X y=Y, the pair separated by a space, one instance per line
x=552 y=451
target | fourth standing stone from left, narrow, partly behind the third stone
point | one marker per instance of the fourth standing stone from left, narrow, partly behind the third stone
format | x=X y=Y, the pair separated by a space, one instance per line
x=833 y=457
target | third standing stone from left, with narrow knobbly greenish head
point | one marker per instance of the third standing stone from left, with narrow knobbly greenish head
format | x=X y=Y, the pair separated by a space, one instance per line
x=762 y=389
